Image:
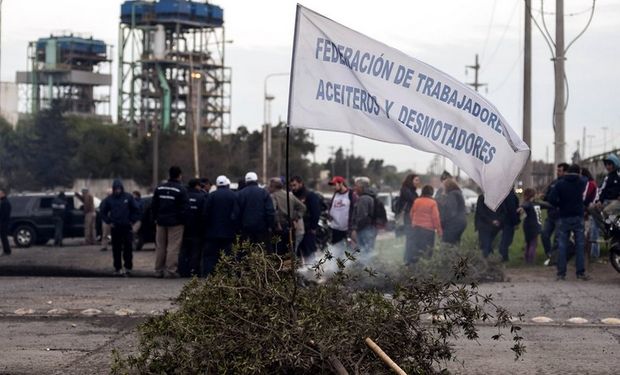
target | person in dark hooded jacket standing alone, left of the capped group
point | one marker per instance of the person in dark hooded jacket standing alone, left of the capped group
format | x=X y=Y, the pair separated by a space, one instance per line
x=120 y=211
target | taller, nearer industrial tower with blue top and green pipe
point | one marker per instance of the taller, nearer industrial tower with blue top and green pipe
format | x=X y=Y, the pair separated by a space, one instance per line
x=171 y=72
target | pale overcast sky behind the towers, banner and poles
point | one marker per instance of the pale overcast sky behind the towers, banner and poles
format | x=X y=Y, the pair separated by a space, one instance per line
x=444 y=33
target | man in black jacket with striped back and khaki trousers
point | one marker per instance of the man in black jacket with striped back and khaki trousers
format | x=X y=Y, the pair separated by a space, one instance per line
x=170 y=205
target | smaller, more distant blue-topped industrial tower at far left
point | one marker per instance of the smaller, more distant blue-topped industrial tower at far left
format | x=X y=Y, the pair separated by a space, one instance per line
x=71 y=69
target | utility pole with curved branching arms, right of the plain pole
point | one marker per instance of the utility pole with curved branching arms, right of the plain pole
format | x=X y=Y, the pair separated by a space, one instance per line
x=558 y=115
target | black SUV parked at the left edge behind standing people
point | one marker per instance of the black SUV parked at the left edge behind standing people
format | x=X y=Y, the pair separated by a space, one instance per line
x=32 y=222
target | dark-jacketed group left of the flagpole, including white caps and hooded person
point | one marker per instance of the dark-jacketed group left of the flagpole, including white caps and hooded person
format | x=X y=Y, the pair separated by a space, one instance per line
x=195 y=225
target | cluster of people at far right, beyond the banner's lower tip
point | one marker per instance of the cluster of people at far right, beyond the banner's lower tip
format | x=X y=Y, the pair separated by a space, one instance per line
x=573 y=202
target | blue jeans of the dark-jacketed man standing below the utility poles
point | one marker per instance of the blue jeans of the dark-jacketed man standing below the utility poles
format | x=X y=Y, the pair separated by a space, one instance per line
x=567 y=225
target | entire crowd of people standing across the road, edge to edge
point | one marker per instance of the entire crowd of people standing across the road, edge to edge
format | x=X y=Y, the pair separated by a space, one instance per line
x=194 y=225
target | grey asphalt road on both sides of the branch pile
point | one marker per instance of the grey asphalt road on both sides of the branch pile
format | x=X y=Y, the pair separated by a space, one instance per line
x=61 y=312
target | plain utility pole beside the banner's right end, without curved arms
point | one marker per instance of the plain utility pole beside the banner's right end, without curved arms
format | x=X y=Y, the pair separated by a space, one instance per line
x=526 y=175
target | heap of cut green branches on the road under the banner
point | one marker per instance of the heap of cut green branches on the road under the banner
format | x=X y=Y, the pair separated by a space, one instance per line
x=254 y=317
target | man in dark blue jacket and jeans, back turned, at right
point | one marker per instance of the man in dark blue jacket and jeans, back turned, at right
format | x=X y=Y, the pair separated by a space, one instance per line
x=567 y=195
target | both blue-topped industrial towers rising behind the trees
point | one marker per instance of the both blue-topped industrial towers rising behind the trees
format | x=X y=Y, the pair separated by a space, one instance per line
x=171 y=73
